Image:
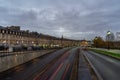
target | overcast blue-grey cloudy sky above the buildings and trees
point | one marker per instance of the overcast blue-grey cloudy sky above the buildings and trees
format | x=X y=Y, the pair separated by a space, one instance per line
x=75 y=19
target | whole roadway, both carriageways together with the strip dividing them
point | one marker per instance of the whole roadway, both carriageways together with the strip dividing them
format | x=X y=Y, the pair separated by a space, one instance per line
x=66 y=64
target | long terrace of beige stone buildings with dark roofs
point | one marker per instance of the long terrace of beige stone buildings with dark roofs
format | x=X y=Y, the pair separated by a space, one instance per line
x=14 y=36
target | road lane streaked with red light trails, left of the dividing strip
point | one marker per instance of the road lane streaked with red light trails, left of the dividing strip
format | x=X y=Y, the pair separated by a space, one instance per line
x=61 y=70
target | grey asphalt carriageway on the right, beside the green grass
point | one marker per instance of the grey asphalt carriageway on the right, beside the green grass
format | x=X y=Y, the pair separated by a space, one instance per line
x=107 y=67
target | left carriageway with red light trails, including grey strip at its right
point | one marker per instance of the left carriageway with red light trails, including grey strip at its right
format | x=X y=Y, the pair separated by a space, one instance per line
x=64 y=64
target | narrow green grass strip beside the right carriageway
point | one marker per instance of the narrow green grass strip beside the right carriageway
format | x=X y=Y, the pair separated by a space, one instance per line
x=115 y=55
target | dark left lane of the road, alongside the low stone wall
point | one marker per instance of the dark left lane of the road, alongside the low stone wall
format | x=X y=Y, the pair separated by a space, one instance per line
x=28 y=70
